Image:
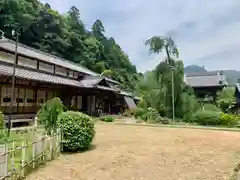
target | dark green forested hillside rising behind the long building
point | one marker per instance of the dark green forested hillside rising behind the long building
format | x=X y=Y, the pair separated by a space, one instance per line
x=65 y=35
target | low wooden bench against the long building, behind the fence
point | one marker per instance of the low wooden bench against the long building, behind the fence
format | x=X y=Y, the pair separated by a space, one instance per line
x=19 y=118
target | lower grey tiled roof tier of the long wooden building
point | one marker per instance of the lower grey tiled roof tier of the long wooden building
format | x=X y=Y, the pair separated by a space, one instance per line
x=6 y=70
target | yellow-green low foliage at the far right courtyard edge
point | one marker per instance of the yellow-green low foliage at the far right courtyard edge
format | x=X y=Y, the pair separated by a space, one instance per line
x=231 y=120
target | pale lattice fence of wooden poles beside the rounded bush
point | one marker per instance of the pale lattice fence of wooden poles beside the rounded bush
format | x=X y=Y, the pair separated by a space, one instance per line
x=19 y=157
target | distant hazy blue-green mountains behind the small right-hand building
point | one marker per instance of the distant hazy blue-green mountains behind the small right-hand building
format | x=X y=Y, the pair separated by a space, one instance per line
x=231 y=75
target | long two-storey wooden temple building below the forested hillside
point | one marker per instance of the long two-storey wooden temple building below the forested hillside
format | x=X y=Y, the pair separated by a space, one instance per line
x=40 y=76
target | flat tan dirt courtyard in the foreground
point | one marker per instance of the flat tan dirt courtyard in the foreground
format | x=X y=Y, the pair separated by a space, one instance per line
x=126 y=152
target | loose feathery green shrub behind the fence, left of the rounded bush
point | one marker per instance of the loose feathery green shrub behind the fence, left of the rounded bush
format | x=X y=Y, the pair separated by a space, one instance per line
x=48 y=114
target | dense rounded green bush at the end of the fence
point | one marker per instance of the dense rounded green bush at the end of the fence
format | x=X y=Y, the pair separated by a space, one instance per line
x=78 y=130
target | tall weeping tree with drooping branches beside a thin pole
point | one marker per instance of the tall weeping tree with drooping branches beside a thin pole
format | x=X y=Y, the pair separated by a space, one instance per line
x=167 y=70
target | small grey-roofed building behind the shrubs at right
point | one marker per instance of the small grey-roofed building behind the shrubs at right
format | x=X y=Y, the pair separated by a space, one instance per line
x=207 y=84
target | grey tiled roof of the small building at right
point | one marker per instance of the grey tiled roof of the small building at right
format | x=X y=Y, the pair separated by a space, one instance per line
x=206 y=79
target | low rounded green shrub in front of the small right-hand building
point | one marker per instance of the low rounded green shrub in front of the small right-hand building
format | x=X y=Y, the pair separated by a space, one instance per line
x=207 y=117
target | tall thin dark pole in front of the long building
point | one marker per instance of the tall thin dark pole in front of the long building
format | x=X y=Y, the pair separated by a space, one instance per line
x=13 y=81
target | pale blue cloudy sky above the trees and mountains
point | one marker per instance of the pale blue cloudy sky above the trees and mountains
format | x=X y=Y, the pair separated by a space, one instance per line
x=207 y=33
